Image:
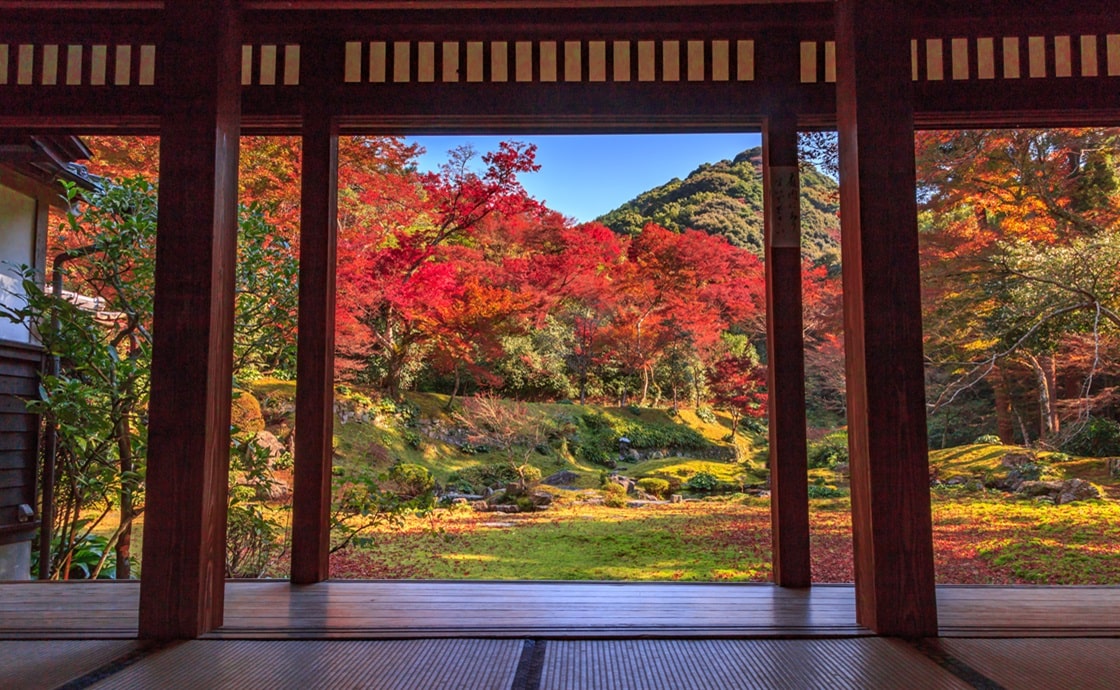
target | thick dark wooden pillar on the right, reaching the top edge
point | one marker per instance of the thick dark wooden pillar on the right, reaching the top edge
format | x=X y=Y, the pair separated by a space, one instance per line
x=883 y=321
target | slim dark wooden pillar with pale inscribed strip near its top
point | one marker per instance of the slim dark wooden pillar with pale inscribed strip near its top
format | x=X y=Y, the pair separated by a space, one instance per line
x=786 y=352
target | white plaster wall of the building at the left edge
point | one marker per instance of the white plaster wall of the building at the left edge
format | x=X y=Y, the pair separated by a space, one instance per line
x=17 y=248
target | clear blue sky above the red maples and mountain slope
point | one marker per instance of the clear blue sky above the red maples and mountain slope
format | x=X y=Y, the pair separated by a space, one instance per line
x=585 y=176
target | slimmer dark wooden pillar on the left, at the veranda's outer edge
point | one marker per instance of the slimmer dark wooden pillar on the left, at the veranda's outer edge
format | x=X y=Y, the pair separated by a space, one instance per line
x=315 y=374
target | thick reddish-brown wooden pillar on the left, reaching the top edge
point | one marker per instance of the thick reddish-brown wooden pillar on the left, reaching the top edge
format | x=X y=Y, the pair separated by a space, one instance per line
x=189 y=453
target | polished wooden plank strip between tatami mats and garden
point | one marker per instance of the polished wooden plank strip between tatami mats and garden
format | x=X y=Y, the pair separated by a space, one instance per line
x=371 y=610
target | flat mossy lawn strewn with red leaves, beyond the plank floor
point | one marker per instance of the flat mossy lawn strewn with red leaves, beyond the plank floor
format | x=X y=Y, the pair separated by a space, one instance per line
x=977 y=540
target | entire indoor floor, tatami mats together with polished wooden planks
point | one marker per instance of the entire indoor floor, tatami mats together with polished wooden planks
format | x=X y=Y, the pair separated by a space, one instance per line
x=536 y=636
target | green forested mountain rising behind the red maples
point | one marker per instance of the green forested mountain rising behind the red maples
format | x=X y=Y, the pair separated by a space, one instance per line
x=726 y=199
